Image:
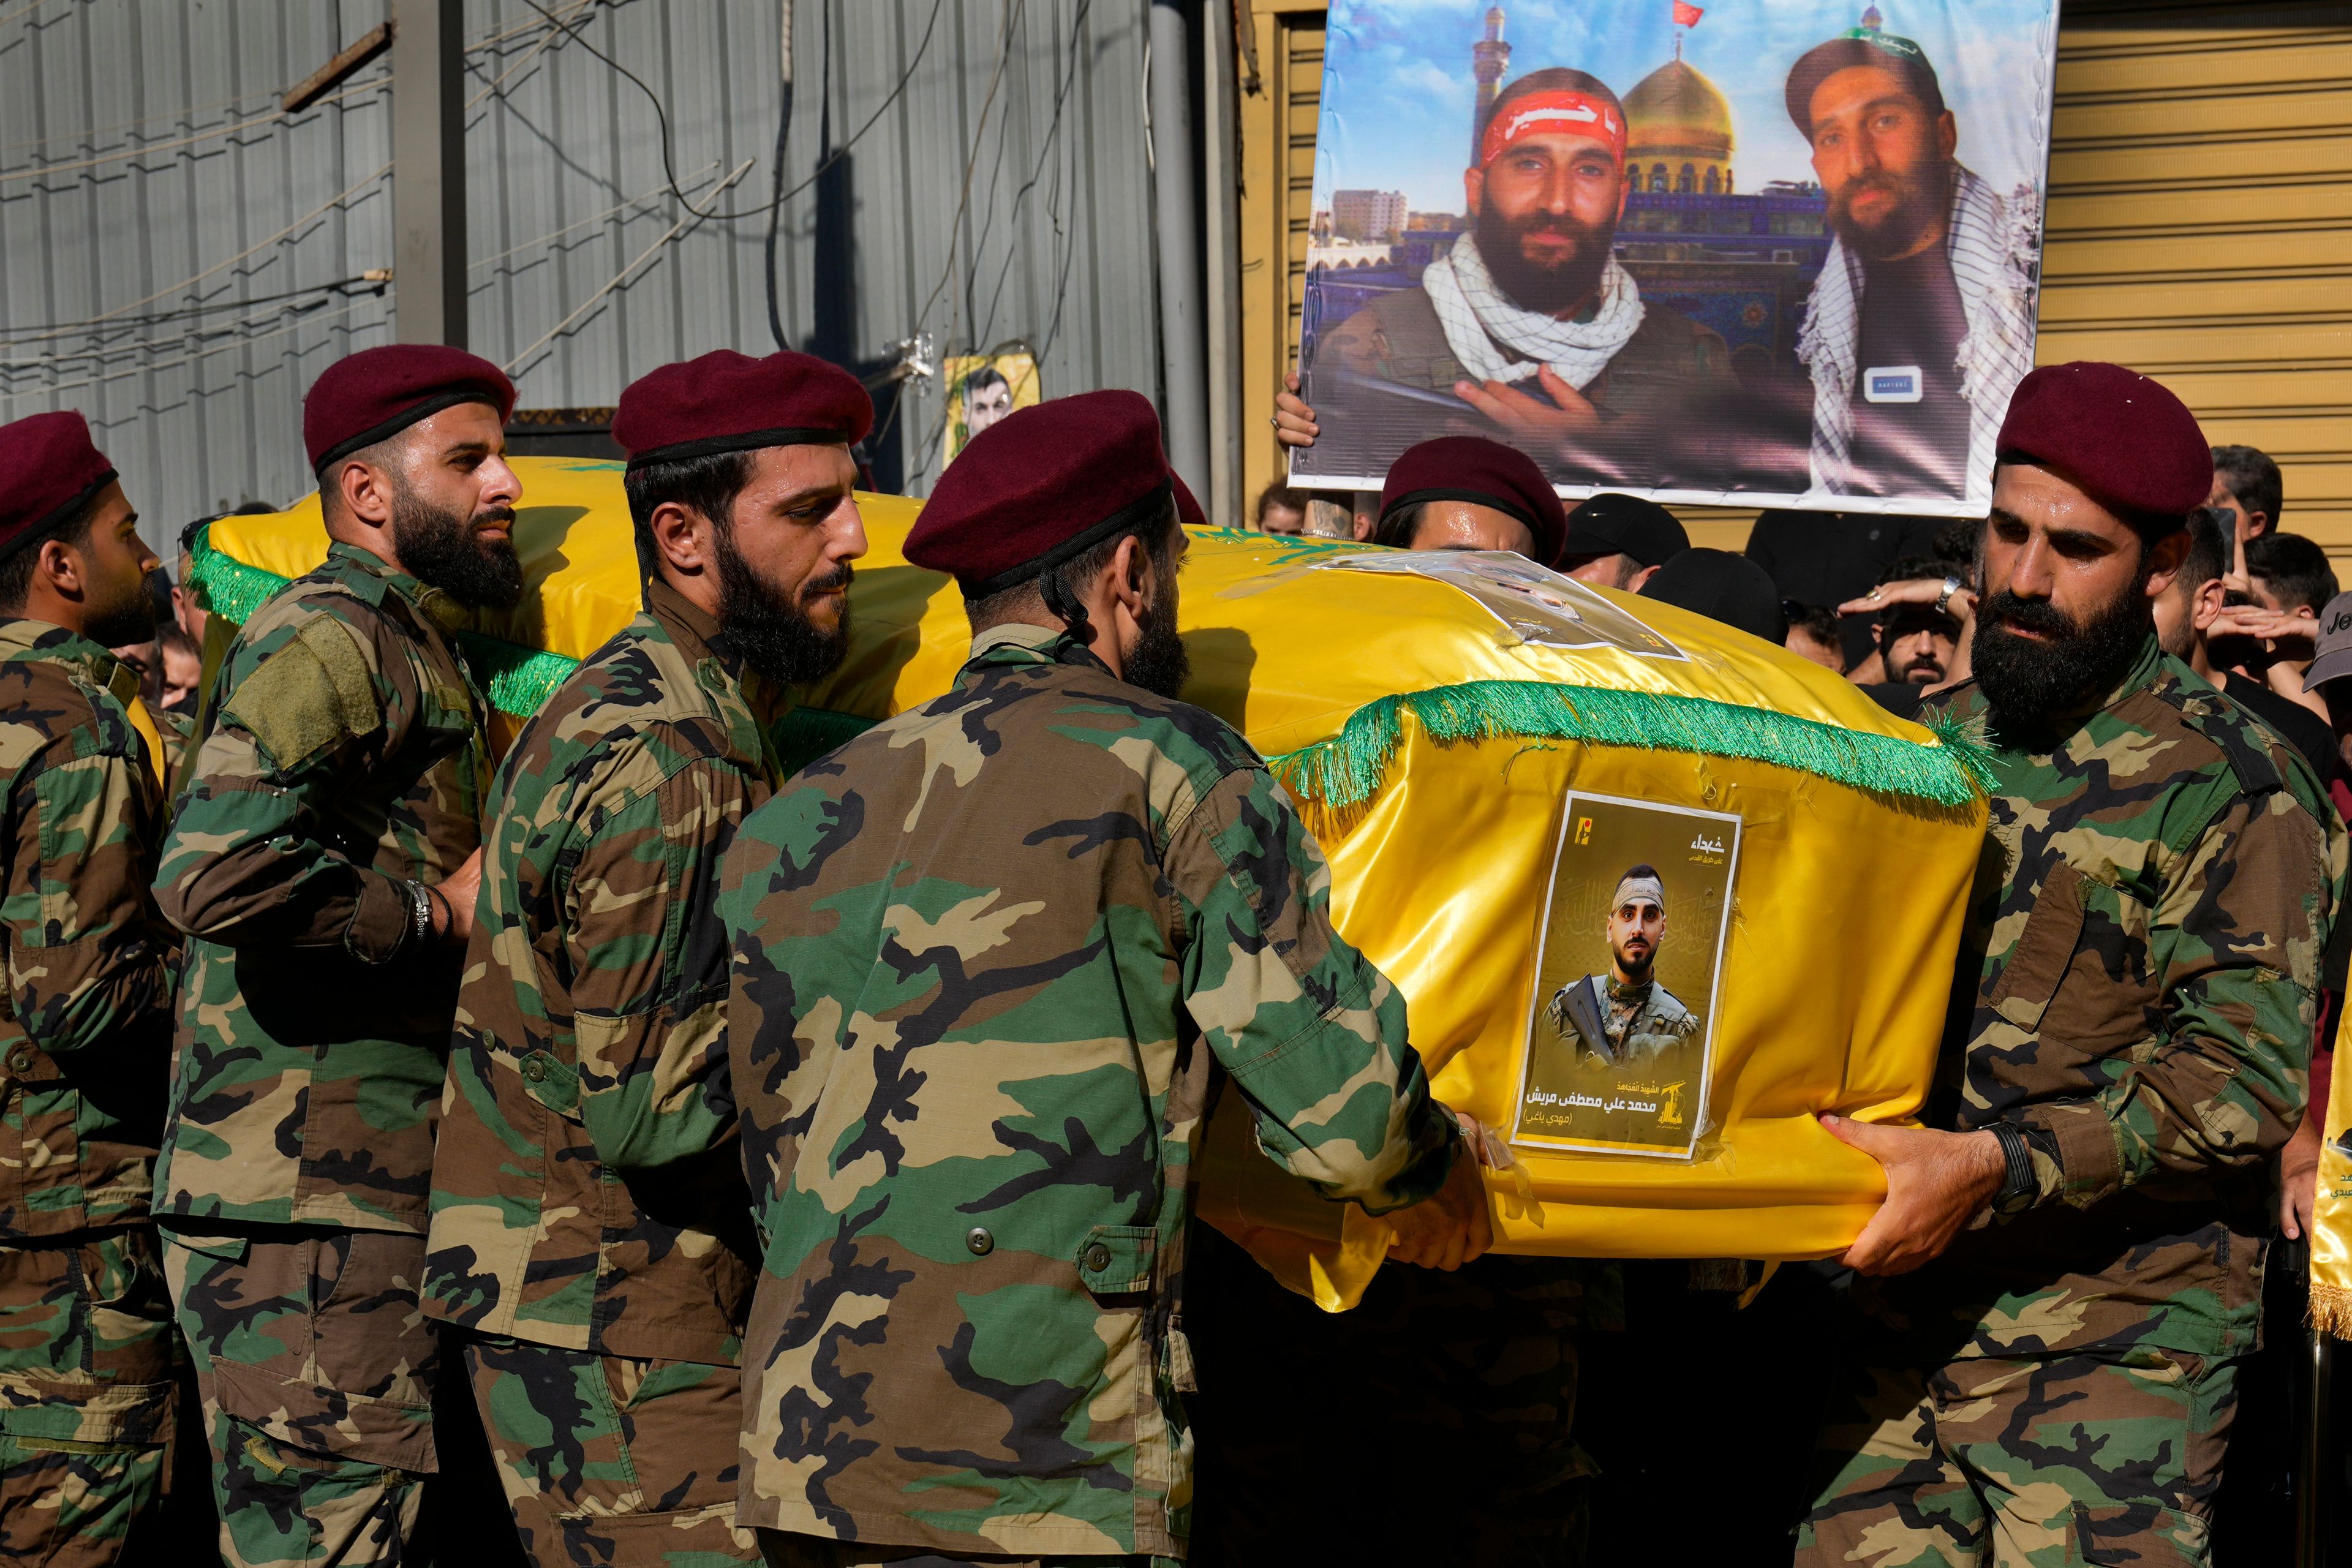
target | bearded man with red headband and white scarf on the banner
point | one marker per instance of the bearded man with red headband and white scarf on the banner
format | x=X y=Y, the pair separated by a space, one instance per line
x=1530 y=319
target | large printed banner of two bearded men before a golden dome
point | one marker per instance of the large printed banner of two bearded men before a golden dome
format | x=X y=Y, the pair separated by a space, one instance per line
x=1763 y=253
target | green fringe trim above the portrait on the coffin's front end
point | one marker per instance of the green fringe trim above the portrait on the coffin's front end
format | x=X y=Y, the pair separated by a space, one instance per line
x=1349 y=770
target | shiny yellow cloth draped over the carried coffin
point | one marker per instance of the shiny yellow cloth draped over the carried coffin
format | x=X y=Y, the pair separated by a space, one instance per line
x=1845 y=909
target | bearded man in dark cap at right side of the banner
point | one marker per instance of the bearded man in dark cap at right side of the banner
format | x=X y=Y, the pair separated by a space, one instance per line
x=1923 y=319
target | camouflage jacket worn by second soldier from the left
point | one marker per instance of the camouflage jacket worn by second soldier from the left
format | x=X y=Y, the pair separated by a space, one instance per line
x=345 y=756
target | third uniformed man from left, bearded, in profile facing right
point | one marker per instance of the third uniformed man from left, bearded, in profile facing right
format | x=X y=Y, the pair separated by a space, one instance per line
x=592 y=1231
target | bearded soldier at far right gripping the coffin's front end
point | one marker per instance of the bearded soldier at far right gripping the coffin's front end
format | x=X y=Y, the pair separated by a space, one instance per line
x=2078 y=1261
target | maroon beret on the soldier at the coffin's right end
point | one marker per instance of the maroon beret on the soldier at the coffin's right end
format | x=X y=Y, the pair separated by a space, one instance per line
x=2123 y=438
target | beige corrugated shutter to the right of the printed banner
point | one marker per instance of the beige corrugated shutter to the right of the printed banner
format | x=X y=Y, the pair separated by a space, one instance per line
x=2200 y=227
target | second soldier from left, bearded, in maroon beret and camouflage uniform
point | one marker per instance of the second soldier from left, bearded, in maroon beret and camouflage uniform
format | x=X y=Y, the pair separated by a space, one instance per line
x=323 y=869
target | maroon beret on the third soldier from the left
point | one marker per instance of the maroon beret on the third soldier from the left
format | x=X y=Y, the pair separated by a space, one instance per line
x=735 y=403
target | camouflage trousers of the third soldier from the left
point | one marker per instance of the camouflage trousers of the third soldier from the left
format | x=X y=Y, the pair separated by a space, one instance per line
x=610 y=1461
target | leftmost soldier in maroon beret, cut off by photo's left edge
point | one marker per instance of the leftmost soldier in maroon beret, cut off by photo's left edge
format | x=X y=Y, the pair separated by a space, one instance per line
x=86 y=1332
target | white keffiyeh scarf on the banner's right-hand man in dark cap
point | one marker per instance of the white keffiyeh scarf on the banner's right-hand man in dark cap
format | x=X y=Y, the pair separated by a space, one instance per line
x=1993 y=246
